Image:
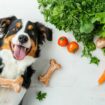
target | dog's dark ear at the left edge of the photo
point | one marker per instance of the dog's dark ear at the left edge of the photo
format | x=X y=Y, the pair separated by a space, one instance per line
x=4 y=25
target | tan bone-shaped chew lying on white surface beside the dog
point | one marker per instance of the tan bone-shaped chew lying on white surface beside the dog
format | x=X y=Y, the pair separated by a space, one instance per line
x=46 y=77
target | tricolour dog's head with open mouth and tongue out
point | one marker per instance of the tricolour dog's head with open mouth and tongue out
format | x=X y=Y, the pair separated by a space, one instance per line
x=24 y=39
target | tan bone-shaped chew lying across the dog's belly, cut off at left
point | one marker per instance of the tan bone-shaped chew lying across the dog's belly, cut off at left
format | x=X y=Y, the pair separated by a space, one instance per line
x=13 y=84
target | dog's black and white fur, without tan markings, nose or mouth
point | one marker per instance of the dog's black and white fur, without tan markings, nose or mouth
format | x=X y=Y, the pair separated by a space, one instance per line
x=10 y=67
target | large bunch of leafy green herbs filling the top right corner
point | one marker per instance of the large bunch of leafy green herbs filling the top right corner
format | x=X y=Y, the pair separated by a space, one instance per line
x=86 y=18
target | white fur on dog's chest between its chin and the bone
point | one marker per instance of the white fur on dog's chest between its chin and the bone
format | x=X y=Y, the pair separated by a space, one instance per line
x=12 y=67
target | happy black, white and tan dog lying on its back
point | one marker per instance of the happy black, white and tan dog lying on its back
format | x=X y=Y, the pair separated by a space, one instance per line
x=19 y=48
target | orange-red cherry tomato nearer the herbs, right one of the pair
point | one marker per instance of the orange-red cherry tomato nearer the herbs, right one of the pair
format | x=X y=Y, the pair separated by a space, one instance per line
x=72 y=47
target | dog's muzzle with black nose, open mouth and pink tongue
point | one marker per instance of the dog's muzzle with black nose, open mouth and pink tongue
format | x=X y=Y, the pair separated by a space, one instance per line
x=20 y=49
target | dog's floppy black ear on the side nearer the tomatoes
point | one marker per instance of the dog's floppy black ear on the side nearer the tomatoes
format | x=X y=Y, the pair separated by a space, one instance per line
x=43 y=32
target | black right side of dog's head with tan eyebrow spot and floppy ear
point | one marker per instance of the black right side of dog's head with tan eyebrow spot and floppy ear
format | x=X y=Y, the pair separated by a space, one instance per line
x=38 y=32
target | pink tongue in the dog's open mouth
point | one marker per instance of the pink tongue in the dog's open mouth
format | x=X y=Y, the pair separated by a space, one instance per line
x=19 y=52
